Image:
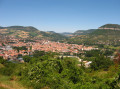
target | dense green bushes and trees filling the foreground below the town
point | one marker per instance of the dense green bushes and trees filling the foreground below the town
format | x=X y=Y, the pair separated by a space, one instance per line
x=46 y=70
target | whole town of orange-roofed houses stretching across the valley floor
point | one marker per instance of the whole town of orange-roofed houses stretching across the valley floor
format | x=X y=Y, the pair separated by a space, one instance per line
x=7 y=50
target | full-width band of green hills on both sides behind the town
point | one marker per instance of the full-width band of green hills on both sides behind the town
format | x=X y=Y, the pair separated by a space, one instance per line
x=86 y=37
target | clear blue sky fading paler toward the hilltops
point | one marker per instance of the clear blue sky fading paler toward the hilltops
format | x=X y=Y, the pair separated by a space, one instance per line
x=59 y=15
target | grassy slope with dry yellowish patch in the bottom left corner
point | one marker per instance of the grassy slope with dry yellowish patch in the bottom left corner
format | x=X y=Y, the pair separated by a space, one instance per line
x=7 y=78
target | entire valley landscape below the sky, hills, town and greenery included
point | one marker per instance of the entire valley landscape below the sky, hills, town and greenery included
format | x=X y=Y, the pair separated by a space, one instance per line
x=33 y=59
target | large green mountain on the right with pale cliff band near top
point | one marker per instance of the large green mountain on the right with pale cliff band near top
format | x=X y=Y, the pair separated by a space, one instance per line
x=104 y=35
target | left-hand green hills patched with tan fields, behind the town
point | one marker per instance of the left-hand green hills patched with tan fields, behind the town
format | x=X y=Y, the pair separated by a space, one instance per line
x=30 y=33
